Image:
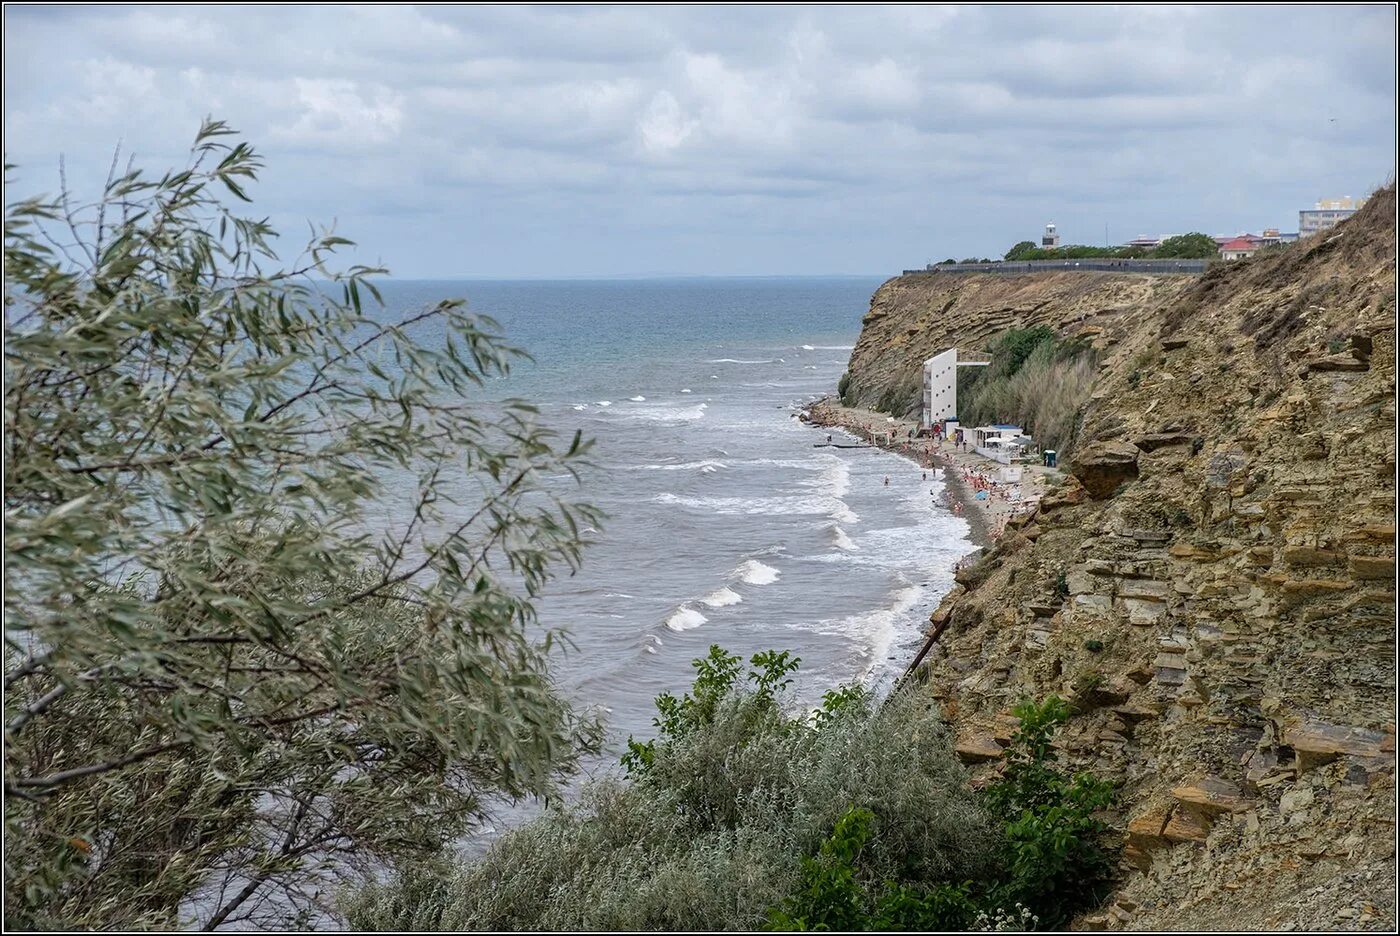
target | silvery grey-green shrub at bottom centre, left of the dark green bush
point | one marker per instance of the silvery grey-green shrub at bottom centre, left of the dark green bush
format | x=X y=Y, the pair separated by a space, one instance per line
x=717 y=816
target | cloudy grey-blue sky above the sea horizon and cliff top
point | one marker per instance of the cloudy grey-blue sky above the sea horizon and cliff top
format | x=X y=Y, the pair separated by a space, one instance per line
x=575 y=142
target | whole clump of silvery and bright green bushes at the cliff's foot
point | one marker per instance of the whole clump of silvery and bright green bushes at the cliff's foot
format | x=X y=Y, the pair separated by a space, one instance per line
x=738 y=816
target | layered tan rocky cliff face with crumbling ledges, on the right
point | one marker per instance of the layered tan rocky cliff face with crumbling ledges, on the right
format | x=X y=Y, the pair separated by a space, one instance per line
x=1217 y=594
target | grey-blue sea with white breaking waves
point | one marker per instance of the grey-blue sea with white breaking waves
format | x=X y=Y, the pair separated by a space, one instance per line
x=730 y=521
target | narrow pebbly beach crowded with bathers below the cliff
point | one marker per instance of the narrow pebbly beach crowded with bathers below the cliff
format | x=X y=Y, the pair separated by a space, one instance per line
x=986 y=518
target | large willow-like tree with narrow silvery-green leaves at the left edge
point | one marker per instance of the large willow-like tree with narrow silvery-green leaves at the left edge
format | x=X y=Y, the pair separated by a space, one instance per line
x=227 y=678
